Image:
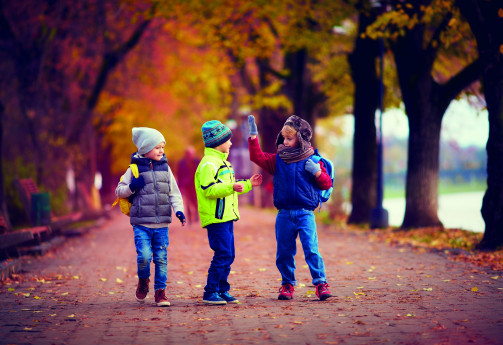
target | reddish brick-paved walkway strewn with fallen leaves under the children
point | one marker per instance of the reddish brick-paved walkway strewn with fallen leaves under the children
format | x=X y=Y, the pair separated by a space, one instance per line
x=83 y=293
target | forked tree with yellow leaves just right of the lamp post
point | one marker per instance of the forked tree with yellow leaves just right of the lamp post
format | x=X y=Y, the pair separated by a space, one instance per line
x=419 y=33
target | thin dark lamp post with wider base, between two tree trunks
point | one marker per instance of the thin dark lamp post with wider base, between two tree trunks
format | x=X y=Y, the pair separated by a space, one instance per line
x=379 y=215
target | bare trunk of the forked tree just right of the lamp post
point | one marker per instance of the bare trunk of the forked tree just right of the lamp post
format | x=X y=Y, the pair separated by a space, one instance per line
x=424 y=114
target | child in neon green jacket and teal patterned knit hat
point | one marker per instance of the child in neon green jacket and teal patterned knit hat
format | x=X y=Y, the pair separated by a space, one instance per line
x=217 y=200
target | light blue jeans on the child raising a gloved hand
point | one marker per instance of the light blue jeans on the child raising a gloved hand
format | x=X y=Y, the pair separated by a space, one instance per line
x=289 y=223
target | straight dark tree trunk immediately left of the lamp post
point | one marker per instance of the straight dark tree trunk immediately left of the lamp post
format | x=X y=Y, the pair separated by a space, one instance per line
x=366 y=101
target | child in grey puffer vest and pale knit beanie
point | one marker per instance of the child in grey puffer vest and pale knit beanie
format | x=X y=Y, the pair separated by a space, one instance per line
x=152 y=195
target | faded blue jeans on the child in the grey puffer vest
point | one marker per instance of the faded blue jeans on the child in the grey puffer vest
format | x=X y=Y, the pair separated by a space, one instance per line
x=152 y=244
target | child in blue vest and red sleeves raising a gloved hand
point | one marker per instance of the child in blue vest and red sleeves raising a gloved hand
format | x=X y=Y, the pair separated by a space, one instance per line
x=296 y=179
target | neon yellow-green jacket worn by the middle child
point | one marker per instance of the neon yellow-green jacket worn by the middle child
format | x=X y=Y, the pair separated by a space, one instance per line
x=216 y=200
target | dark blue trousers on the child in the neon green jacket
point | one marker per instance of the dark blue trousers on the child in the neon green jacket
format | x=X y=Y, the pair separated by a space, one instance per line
x=221 y=240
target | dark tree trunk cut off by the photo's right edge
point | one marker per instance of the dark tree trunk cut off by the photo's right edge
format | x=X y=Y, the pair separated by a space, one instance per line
x=486 y=24
